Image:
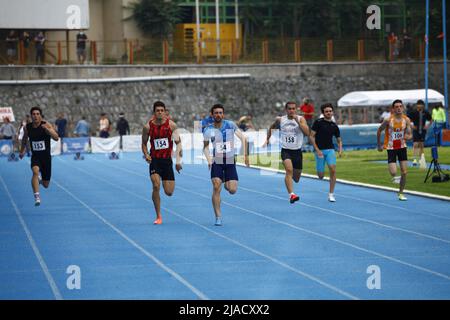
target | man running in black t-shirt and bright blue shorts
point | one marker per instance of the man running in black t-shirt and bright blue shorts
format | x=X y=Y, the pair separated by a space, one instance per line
x=322 y=132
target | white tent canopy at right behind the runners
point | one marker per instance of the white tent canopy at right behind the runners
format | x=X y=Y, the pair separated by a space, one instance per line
x=385 y=98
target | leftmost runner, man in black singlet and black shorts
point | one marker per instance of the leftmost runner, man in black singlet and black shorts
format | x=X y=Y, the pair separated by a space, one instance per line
x=39 y=133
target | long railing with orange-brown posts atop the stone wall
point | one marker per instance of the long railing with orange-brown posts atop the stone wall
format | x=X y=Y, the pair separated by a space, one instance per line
x=231 y=51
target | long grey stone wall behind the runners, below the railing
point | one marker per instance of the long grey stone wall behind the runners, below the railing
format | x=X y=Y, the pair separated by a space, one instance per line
x=261 y=95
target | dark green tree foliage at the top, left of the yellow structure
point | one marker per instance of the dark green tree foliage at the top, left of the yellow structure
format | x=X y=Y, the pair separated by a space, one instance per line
x=156 y=17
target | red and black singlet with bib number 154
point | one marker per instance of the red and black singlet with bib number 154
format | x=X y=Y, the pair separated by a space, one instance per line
x=161 y=143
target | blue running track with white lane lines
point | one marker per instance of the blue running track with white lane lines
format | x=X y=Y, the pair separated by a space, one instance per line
x=97 y=215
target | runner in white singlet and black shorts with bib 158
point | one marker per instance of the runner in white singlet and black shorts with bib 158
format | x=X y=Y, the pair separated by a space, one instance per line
x=292 y=128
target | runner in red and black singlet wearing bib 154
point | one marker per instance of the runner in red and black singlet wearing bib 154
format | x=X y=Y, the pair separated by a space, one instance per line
x=162 y=133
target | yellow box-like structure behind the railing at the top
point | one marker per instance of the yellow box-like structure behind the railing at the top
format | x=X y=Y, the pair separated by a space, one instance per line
x=185 y=39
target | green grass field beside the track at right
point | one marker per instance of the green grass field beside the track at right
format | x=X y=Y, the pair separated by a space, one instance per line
x=359 y=166
